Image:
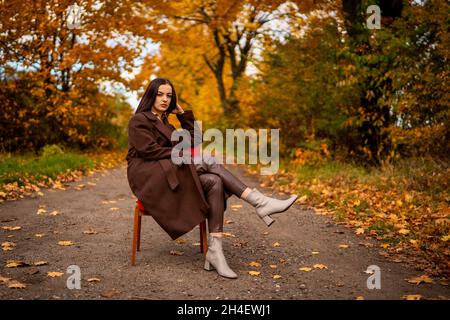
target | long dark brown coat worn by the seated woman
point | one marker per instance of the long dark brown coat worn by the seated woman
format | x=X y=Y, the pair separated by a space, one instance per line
x=171 y=193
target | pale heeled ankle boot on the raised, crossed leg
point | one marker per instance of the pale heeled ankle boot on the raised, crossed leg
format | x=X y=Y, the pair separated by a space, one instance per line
x=265 y=206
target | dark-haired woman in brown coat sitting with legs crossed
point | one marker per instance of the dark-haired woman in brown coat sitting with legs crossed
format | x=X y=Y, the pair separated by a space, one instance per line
x=179 y=197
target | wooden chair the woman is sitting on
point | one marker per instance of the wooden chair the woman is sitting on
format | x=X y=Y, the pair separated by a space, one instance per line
x=140 y=211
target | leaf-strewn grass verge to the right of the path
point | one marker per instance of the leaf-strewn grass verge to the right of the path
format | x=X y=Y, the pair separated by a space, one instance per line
x=405 y=204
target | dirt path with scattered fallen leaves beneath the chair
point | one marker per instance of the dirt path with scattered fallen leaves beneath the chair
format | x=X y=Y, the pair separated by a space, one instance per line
x=105 y=204
